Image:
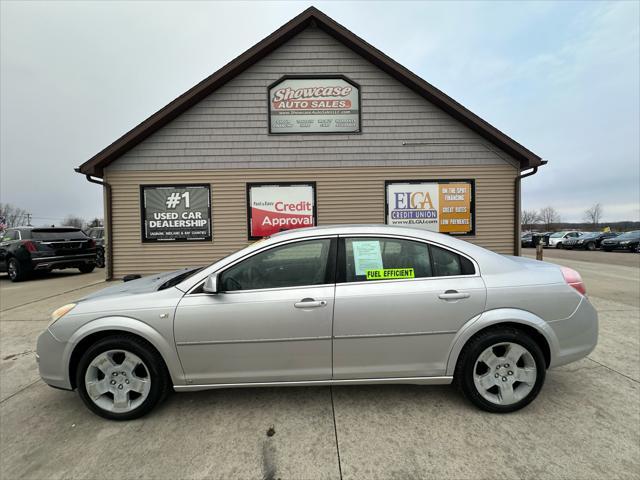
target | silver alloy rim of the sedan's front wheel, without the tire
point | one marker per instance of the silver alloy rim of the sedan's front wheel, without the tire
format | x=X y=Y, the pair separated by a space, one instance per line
x=117 y=381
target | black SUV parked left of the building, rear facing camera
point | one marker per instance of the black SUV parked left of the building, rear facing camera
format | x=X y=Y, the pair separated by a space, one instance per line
x=25 y=250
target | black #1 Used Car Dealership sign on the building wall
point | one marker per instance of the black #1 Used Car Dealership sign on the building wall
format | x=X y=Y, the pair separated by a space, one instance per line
x=175 y=212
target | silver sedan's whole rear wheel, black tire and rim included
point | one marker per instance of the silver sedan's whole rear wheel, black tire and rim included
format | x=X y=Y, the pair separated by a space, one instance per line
x=505 y=344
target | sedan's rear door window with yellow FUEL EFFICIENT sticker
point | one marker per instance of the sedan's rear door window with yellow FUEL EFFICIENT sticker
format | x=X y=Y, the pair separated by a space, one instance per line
x=385 y=259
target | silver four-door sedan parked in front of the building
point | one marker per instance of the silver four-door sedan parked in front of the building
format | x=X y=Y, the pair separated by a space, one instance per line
x=329 y=305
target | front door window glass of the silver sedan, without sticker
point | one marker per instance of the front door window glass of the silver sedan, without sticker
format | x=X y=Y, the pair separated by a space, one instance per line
x=292 y=265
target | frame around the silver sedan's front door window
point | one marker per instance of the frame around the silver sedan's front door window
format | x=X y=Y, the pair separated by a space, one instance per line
x=332 y=263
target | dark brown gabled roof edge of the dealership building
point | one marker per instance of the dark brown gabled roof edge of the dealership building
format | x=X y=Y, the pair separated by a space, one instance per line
x=95 y=165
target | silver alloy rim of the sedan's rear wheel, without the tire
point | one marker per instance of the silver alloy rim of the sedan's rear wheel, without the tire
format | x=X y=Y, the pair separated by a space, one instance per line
x=505 y=373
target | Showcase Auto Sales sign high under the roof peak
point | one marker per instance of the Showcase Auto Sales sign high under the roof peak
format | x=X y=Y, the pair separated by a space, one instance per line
x=314 y=105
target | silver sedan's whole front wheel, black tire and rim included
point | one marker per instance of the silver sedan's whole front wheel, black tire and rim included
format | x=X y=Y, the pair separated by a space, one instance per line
x=116 y=355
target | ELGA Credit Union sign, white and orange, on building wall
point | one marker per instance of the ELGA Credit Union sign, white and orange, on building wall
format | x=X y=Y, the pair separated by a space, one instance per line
x=439 y=206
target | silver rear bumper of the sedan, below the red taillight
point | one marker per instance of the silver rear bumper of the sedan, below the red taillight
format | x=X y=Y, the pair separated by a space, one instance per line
x=577 y=335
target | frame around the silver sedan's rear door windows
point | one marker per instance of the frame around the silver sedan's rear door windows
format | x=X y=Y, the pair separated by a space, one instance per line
x=341 y=267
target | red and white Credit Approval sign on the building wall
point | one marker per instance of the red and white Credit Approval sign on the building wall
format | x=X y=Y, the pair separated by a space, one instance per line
x=274 y=208
